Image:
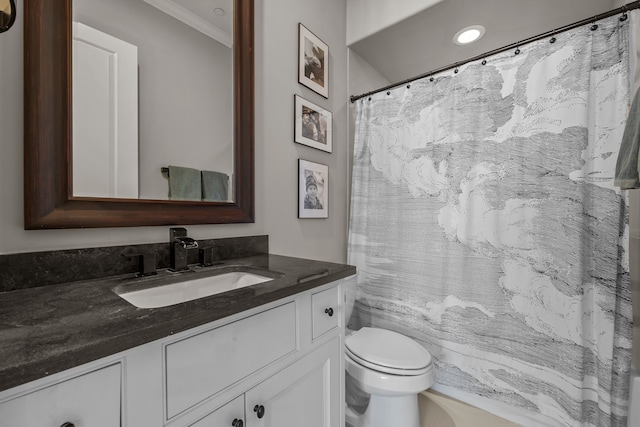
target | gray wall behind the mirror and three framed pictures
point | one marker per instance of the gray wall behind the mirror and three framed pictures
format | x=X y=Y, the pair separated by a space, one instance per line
x=276 y=154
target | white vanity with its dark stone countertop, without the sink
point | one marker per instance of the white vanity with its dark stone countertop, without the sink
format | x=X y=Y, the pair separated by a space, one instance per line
x=270 y=354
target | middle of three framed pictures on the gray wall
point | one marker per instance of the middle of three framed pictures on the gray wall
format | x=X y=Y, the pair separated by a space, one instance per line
x=313 y=125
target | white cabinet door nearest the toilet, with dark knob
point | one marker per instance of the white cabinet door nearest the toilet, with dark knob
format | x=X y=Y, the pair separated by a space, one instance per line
x=306 y=393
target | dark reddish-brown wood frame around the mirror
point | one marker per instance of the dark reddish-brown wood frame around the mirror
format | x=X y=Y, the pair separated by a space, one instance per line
x=48 y=200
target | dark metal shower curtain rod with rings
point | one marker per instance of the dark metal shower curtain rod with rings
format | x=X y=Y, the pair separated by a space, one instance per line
x=630 y=6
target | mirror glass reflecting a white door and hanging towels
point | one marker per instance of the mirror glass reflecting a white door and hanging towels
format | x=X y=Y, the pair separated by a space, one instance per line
x=153 y=88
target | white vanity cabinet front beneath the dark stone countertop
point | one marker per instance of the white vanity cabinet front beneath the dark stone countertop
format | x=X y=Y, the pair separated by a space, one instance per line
x=276 y=365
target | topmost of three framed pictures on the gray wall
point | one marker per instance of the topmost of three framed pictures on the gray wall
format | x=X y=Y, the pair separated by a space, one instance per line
x=313 y=62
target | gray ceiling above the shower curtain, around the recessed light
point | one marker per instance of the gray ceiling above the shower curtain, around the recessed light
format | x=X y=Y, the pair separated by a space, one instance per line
x=423 y=42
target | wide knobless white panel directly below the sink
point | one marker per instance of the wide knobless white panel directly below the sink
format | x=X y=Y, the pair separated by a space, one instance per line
x=202 y=365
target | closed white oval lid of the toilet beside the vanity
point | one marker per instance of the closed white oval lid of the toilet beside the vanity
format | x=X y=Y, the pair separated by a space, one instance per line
x=387 y=349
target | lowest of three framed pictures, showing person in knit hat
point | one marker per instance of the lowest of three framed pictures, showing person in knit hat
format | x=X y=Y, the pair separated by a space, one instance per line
x=313 y=190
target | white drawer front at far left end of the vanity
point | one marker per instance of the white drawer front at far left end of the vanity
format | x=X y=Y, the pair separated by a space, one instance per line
x=92 y=400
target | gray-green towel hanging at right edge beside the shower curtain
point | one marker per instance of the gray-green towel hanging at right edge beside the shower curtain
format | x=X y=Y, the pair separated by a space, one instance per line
x=628 y=164
